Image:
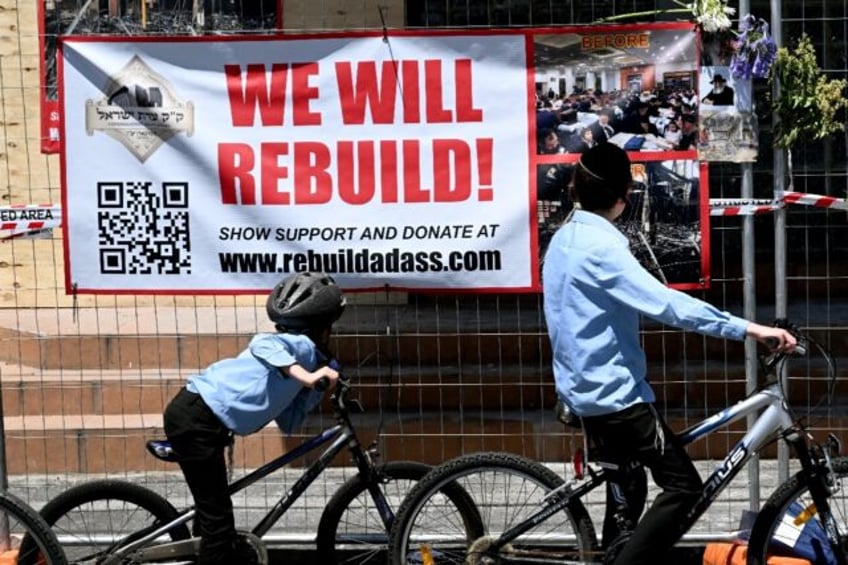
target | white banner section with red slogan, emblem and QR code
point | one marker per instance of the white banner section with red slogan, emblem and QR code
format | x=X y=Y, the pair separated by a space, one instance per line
x=219 y=165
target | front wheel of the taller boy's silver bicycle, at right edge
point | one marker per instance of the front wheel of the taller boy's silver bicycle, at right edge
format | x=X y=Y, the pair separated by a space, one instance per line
x=772 y=523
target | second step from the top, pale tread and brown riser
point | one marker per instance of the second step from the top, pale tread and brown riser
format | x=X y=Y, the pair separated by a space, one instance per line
x=28 y=391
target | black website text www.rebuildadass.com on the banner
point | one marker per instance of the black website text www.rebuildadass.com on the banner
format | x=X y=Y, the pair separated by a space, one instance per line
x=362 y=261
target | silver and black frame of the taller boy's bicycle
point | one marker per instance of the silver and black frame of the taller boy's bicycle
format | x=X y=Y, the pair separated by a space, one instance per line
x=775 y=419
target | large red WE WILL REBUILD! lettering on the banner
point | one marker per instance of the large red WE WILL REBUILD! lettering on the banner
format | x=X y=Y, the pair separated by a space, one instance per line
x=388 y=171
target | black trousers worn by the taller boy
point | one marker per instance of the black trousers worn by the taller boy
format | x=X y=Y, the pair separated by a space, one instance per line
x=639 y=434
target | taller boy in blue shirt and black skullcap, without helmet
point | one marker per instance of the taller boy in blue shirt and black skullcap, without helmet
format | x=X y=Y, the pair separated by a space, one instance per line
x=595 y=292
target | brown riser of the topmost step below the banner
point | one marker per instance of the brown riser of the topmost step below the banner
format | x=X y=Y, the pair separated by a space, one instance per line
x=526 y=347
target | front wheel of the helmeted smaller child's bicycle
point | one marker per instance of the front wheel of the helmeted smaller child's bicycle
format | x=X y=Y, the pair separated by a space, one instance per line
x=351 y=530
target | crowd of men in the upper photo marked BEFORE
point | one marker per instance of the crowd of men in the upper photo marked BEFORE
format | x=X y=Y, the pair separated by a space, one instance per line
x=658 y=120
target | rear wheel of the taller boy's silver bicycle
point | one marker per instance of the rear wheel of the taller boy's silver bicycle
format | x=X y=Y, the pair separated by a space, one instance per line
x=506 y=489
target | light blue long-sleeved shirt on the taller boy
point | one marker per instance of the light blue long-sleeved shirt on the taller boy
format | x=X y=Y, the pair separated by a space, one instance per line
x=594 y=293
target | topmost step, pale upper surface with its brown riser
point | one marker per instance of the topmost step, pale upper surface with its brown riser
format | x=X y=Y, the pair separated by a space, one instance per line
x=150 y=339
